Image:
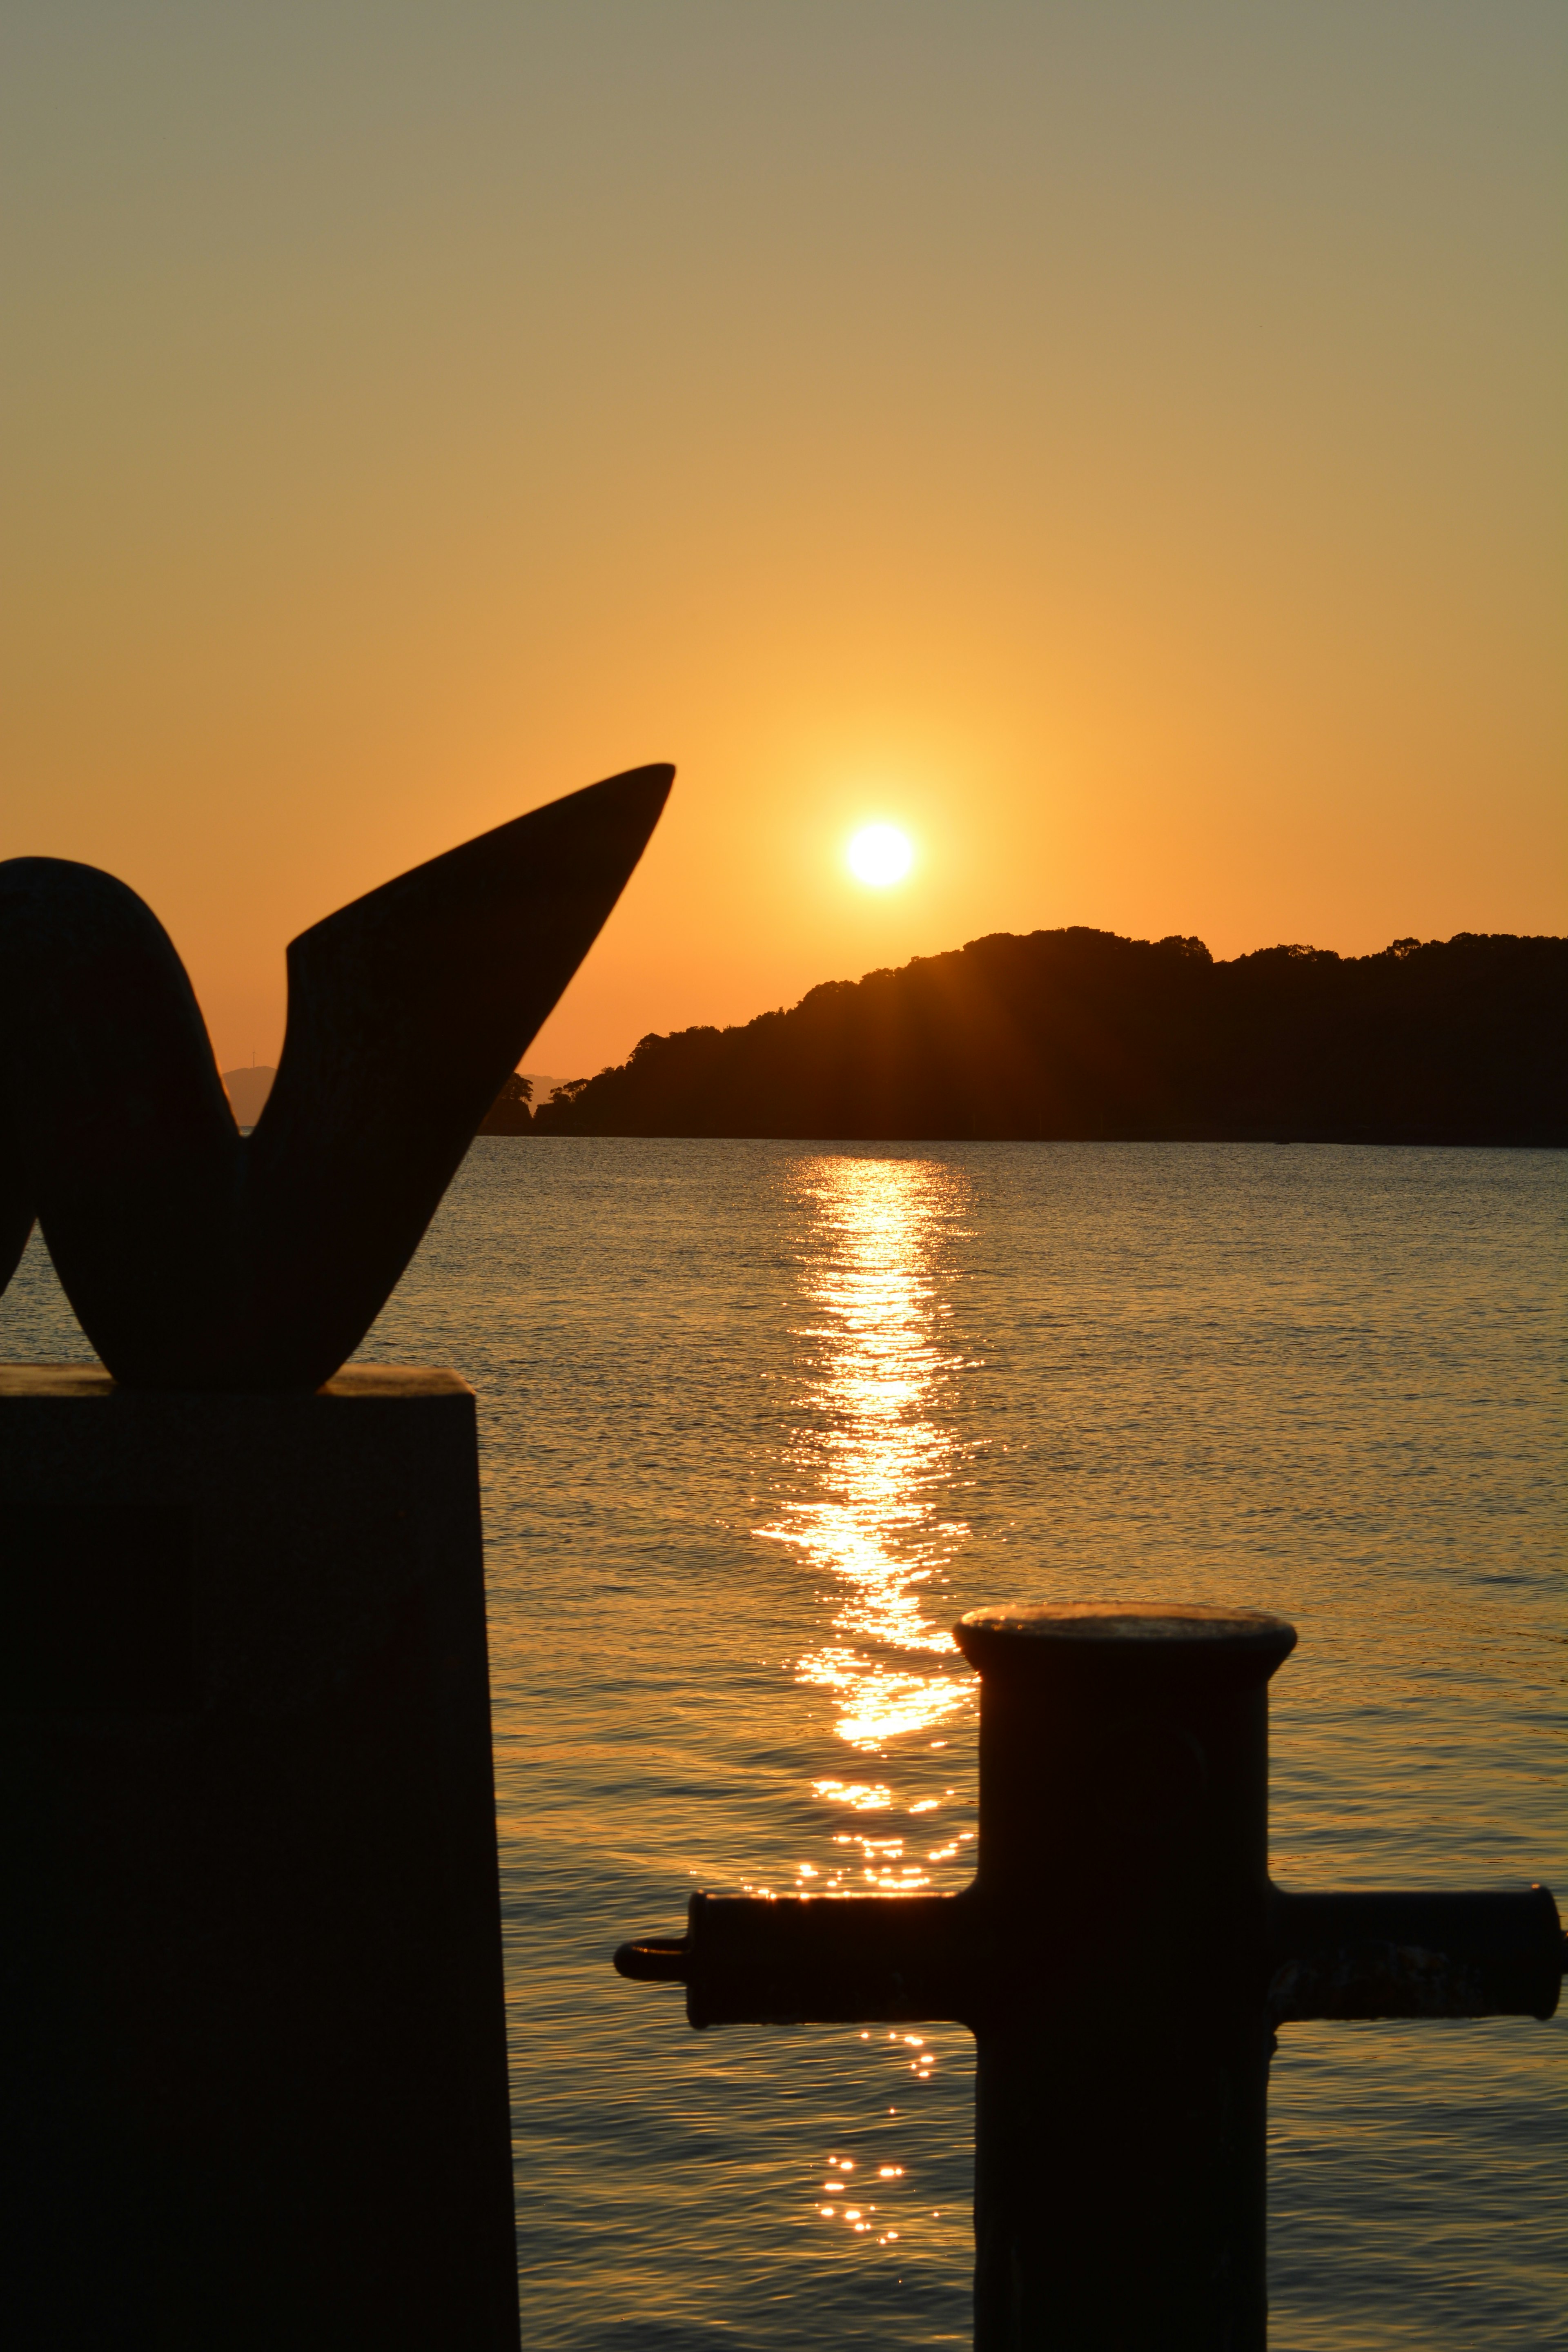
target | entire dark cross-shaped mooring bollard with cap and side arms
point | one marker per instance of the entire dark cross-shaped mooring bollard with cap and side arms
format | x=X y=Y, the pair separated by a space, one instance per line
x=1123 y=1963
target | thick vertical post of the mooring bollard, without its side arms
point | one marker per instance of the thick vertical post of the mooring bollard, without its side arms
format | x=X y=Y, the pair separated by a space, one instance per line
x=1123 y=2066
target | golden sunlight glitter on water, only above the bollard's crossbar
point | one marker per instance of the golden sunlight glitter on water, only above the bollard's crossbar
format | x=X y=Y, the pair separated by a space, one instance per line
x=876 y=1459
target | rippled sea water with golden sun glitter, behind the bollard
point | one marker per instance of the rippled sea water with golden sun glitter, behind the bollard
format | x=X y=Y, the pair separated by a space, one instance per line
x=760 y=1419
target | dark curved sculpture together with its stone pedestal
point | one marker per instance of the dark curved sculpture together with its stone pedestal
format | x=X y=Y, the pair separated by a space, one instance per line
x=253 y=2043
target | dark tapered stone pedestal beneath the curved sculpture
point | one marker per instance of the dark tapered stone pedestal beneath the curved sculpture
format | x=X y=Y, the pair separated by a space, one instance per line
x=253 y=2040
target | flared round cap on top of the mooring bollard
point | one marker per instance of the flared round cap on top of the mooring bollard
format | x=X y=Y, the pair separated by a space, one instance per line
x=1123 y=1631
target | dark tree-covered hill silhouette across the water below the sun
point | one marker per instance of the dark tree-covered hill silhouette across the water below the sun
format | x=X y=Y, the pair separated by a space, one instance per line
x=1085 y=1036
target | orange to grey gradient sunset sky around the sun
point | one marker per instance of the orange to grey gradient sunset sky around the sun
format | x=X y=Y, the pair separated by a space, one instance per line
x=1118 y=443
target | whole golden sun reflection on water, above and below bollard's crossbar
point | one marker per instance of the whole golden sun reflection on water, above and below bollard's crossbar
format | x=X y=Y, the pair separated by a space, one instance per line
x=873 y=1462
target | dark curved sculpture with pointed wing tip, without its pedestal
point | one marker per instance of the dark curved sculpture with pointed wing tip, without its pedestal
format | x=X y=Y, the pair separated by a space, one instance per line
x=215 y=1262
